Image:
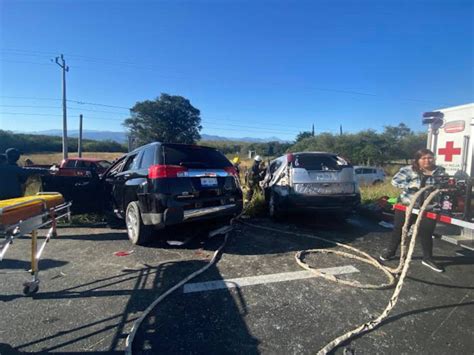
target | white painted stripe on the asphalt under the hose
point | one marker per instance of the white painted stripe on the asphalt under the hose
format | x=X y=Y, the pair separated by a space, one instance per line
x=264 y=279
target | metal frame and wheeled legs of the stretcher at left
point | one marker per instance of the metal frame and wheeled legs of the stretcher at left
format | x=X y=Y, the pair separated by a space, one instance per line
x=31 y=225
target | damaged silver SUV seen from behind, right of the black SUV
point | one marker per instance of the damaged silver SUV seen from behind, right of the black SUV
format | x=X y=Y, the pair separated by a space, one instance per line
x=310 y=181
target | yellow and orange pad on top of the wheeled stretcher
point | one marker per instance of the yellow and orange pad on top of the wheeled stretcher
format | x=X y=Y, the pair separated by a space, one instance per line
x=15 y=210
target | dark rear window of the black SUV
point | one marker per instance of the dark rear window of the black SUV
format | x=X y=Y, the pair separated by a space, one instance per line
x=192 y=156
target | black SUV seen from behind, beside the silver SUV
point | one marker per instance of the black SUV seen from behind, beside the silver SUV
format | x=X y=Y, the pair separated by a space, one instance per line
x=162 y=184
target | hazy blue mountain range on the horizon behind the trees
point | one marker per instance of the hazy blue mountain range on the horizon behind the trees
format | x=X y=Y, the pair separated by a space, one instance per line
x=121 y=137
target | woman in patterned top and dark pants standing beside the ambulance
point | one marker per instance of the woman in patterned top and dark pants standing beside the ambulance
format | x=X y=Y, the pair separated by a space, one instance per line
x=410 y=179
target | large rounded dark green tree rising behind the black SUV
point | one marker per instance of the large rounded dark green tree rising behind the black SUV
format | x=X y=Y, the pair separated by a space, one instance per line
x=168 y=119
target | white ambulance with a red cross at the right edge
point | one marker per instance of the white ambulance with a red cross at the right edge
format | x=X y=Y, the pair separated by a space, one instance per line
x=449 y=137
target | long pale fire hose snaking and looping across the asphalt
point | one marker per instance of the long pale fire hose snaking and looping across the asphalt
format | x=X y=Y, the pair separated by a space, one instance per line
x=402 y=269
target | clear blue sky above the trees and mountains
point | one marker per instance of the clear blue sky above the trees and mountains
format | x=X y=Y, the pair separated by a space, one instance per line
x=259 y=69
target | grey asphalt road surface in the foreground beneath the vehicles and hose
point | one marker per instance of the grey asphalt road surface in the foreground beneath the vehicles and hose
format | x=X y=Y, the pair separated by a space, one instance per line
x=89 y=297
